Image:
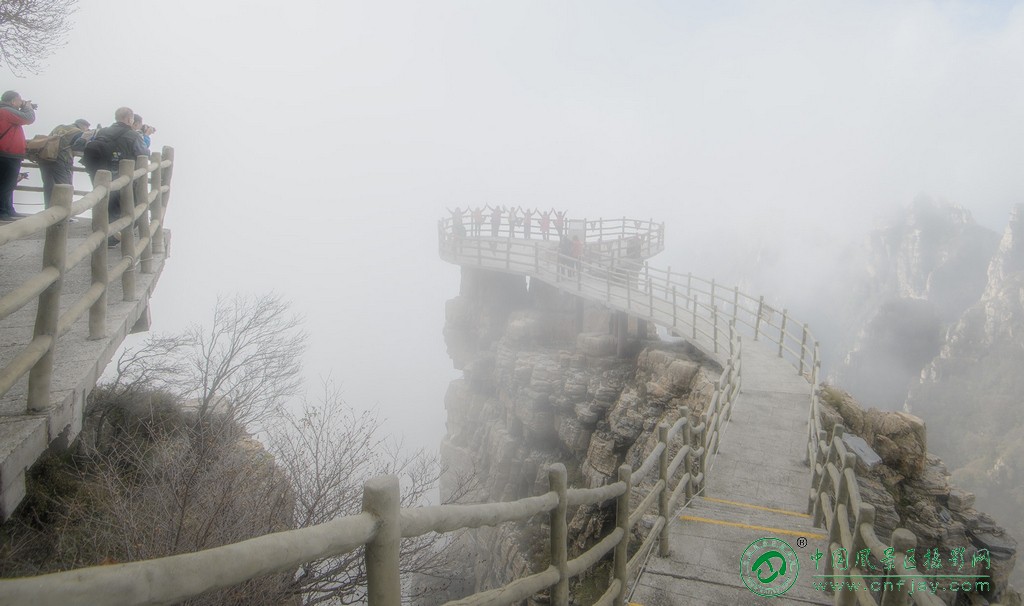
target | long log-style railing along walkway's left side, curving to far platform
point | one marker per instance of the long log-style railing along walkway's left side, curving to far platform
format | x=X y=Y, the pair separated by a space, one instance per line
x=712 y=317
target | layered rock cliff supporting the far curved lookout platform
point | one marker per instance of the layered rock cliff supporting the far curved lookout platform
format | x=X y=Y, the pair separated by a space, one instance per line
x=543 y=383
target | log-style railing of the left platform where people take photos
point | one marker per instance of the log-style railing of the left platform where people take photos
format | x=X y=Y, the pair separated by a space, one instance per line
x=145 y=188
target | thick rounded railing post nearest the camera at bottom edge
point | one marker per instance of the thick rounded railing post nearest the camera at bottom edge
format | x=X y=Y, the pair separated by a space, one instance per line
x=380 y=498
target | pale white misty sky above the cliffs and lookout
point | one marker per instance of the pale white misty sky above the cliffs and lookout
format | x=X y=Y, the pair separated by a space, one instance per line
x=318 y=144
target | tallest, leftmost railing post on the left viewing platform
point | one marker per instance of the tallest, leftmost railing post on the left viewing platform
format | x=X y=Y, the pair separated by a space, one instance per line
x=49 y=311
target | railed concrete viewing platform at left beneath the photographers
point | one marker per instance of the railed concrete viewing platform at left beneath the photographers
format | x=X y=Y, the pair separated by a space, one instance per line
x=68 y=302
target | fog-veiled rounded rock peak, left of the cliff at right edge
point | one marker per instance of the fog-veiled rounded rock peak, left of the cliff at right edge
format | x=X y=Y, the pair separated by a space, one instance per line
x=914 y=279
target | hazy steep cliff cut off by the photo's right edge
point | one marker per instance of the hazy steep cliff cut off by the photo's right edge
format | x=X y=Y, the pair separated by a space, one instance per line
x=971 y=394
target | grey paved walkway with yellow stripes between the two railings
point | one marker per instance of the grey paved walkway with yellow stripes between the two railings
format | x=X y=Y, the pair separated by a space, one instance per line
x=757 y=488
